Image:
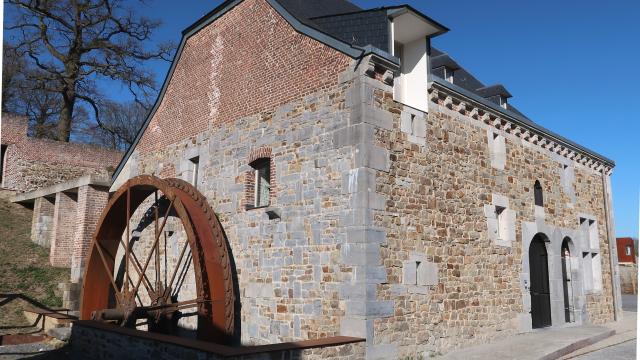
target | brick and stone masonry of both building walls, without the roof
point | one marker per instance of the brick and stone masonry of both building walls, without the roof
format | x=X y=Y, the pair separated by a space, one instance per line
x=384 y=228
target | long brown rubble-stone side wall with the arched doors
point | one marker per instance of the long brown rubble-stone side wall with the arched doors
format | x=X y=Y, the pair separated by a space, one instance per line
x=438 y=188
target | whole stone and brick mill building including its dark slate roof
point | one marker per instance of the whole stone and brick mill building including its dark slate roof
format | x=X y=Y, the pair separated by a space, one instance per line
x=363 y=195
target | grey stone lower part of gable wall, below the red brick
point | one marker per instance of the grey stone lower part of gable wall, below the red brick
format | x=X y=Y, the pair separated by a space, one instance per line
x=288 y=269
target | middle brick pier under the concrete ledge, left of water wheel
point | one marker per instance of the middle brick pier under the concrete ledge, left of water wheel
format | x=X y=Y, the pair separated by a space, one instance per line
x=64 y=220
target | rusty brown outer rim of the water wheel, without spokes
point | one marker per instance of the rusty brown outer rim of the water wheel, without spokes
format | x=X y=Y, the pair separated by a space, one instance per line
x=205 y=238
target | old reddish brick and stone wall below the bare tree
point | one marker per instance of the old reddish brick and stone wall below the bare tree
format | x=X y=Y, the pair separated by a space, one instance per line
x=29 y=163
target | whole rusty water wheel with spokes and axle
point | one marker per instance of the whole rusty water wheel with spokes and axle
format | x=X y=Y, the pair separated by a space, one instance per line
x=141 y=295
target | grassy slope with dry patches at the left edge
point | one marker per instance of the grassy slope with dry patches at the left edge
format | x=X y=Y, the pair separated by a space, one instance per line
x=24 y=266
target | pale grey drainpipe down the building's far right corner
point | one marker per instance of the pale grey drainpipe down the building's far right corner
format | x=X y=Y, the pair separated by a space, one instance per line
x=613 y=253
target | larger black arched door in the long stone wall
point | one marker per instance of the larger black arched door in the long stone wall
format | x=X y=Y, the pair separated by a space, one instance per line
x=539 y=276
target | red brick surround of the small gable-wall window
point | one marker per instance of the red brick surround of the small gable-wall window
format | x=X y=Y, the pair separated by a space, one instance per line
x=253 y=160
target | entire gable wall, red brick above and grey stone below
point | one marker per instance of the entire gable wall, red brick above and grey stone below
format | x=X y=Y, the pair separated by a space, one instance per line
x=284 y=94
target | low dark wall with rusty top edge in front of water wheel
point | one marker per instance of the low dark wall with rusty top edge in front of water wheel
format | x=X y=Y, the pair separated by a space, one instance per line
x=99 y=341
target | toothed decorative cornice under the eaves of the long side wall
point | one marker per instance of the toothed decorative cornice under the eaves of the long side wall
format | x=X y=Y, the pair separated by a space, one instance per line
x=454 y=101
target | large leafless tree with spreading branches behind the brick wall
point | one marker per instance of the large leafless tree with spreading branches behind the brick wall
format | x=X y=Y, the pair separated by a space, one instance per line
x=74 y=42
